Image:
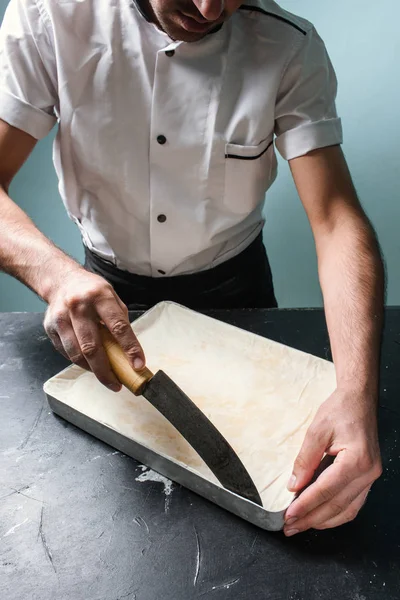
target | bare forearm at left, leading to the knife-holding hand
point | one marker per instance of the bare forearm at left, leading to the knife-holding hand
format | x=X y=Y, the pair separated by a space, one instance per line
x=25 y=253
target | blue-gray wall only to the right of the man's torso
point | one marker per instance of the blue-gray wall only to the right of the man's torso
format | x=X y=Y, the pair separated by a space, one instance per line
x=364 y=44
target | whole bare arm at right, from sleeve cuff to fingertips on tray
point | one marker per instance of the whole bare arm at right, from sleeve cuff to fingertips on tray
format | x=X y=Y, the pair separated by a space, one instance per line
x=352 y=280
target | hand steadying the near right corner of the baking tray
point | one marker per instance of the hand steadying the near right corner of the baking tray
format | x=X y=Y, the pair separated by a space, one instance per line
x=345 y=426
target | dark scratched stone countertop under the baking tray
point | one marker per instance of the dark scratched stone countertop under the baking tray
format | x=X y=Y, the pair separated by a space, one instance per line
x=75 y=525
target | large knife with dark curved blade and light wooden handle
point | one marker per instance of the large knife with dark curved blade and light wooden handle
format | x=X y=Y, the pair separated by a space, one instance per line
x=161 y=391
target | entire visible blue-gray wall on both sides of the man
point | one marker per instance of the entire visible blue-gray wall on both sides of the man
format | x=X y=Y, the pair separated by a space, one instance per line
x=364 y=44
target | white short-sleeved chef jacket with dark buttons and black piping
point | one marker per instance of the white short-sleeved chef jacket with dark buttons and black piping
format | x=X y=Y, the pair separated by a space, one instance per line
x=165 y=149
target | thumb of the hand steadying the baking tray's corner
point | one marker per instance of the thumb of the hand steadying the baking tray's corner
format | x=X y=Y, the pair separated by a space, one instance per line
x=308 y=459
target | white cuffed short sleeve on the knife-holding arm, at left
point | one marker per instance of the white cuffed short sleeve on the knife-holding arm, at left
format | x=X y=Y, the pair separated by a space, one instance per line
x=27 y=70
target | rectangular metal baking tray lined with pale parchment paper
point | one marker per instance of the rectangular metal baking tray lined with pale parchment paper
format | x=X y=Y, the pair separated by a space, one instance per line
x=290 y=383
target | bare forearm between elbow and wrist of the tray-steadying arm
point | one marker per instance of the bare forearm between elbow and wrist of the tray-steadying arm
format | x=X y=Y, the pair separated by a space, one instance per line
x=352 y=280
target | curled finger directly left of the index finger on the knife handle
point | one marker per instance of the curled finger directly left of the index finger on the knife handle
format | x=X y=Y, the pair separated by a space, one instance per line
x=87 y=334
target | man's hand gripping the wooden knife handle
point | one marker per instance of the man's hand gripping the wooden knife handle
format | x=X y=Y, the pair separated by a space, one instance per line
x=76 y=308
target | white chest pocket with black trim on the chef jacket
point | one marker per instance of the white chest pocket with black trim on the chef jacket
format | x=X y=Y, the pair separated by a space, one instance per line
x=249 y=172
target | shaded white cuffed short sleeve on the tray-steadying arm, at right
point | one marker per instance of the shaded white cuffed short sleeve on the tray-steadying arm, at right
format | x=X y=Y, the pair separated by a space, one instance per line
x=305 y=111
